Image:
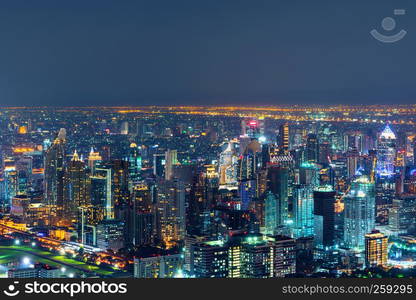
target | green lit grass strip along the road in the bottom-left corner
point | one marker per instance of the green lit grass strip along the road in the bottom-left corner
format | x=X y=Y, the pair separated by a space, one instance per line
x=12 y=253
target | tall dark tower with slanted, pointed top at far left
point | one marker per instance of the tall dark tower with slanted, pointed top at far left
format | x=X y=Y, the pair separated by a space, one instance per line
x=54 y=173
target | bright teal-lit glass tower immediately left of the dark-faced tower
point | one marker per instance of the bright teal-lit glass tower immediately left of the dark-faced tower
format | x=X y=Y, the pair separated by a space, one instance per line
x=303 y=223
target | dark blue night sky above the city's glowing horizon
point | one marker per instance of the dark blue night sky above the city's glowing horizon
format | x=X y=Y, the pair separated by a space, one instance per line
x=89 y=52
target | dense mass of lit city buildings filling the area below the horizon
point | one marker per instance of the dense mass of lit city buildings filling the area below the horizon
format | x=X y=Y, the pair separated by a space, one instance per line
x=209 y=196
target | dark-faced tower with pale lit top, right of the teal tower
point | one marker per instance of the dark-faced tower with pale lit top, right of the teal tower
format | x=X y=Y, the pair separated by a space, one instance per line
x=324 y=216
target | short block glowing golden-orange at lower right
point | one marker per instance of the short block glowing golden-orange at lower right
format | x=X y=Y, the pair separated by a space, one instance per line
x=376 y=249
